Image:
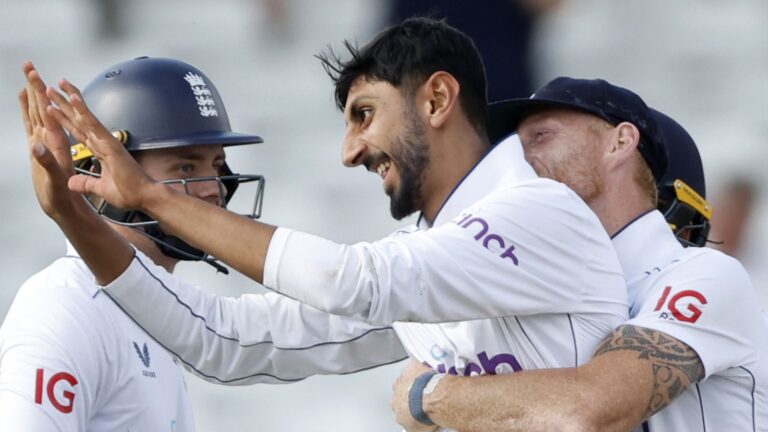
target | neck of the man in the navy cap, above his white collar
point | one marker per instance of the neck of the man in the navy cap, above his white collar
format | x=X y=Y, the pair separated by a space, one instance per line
x=632 y=203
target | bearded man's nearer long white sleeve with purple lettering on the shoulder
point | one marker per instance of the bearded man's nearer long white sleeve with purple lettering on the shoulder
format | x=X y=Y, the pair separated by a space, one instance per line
x=519 y=251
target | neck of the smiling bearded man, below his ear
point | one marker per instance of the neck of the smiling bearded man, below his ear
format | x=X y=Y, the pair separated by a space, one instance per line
x=453 y=156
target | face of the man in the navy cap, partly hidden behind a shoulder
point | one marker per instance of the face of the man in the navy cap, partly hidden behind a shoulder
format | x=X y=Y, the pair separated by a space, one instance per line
x=565 y=145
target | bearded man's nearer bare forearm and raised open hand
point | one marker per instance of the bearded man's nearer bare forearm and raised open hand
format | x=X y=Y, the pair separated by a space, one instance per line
x=240 y=242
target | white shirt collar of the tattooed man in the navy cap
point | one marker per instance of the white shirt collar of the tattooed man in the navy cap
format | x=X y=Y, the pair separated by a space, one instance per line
x=646 y=243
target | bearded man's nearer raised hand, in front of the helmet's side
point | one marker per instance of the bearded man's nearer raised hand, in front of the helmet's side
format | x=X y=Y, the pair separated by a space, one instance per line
x=122 y=182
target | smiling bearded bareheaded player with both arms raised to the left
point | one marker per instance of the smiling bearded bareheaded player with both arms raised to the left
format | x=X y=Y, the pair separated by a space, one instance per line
x=493 y=239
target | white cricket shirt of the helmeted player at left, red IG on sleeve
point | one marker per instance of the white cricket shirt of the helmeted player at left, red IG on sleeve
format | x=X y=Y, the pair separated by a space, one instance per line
x=71 y=360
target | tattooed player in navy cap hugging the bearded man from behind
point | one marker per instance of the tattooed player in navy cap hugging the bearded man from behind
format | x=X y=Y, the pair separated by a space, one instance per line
x=694 y=354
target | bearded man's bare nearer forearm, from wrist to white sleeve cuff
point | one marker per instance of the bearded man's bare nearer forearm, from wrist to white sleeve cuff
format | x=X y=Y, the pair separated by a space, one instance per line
x=240 y=242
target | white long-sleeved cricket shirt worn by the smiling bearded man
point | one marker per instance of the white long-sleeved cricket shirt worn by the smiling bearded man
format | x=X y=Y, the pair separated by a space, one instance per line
x=505 y=244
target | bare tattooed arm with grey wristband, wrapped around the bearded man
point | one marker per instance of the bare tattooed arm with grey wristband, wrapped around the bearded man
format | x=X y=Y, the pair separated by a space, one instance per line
x=634 y=373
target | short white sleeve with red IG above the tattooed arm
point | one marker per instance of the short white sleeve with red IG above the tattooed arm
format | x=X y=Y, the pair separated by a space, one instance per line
x=709 y=304
